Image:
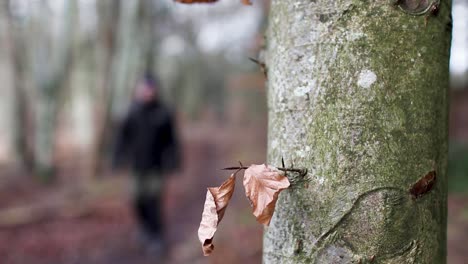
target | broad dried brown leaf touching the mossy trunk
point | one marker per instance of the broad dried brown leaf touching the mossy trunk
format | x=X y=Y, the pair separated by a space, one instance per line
x=263 y=183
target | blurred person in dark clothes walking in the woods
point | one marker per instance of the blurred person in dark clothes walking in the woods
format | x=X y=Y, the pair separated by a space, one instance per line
x=147 y=140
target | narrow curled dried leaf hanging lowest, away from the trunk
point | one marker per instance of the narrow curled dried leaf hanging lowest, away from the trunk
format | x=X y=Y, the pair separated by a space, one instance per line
x=216 y=202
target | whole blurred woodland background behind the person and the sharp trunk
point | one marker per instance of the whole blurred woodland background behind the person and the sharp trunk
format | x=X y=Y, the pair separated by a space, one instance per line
x=68 y=69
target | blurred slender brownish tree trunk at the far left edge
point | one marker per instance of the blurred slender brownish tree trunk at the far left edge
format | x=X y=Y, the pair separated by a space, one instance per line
x=21 y=111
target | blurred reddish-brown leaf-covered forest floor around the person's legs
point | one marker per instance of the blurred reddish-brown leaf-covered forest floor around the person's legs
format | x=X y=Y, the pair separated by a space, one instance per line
x=90 y=221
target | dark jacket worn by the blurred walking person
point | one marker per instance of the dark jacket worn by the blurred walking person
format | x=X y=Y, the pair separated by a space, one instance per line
x=146 y=138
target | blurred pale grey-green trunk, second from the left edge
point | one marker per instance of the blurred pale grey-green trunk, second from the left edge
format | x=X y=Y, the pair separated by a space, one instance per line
x=51 y=78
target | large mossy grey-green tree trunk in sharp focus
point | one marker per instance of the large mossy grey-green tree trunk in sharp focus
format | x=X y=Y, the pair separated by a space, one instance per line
x=358 y=94
